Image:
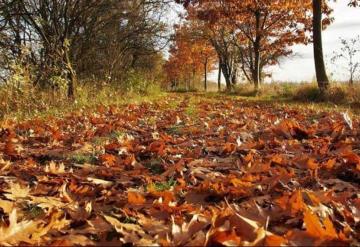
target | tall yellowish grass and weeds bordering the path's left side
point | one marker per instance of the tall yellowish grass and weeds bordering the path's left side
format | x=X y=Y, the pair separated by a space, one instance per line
x=19 y=98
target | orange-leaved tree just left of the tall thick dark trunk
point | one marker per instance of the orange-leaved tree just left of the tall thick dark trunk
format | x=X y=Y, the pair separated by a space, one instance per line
x=261 y=31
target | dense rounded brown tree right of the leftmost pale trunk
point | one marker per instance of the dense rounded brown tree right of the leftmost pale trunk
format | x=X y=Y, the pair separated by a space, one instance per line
x=131 y=34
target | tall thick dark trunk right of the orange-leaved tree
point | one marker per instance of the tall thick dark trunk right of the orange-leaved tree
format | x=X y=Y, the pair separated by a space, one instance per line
x=321 y=77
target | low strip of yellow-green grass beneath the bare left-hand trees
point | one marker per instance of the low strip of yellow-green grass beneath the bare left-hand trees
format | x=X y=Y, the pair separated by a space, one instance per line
x=37 y=103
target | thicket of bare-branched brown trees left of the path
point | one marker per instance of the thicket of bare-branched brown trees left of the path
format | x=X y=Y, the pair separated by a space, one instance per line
x=65 y=37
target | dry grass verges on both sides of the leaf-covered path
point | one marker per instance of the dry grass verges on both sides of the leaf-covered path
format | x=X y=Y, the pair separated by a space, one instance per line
x=30 y=103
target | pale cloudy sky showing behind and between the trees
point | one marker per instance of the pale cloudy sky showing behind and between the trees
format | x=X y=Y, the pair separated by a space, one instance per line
x=300 y=66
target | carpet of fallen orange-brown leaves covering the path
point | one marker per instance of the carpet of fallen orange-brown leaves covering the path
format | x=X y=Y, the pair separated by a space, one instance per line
x=189 y=170
